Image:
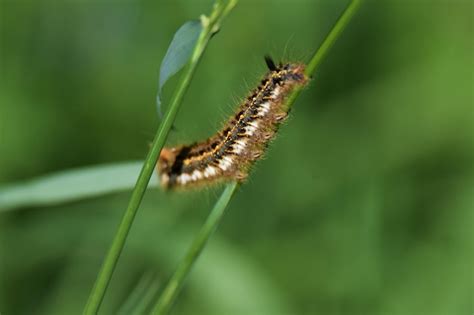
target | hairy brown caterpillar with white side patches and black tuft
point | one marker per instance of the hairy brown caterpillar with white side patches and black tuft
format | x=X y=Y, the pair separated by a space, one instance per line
x=229 y=154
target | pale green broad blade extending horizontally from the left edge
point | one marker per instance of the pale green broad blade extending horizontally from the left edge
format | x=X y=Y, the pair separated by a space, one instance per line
x=71 y=185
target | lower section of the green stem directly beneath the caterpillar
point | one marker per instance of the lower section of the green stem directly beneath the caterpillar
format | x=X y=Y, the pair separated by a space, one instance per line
x=174 y=285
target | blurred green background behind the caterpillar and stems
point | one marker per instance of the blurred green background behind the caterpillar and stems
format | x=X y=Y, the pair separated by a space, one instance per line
x=363 y=205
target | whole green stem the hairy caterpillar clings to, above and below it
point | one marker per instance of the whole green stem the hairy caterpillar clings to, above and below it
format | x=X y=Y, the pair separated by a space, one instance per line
x=173 y=287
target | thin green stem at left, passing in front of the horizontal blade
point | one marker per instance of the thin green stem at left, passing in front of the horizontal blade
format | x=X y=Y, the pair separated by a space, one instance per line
x=210 y=27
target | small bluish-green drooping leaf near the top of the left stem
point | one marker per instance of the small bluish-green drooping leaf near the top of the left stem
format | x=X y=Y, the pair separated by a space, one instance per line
x=178 y=54
